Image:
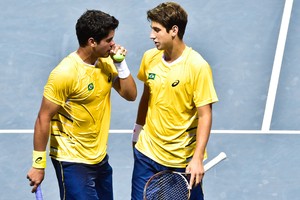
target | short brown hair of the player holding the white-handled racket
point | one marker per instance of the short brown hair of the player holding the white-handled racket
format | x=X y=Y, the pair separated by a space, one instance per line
x=169 y=14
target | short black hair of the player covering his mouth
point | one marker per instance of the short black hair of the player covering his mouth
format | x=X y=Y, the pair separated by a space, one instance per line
x=95 y=24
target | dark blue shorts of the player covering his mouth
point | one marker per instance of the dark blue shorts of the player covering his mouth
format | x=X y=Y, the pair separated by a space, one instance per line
x=79 y=181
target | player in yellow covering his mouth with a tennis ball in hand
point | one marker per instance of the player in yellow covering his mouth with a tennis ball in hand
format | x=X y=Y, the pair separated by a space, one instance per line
x=75 y=110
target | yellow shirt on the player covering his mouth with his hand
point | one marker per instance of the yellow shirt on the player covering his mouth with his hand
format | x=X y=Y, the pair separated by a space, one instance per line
x=79 y=131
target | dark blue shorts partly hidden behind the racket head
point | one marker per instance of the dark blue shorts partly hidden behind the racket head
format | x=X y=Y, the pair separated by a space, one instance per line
x=144 y=168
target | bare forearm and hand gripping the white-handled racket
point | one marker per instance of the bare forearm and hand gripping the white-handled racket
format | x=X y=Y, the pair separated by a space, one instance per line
x=195 y=167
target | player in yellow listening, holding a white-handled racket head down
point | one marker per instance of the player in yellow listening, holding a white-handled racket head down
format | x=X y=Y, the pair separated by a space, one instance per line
x=174 y=116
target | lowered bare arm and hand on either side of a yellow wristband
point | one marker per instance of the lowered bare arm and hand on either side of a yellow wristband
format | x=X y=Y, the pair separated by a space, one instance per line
x=40 y=138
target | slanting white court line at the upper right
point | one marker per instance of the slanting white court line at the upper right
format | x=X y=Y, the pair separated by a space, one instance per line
x=277 y=65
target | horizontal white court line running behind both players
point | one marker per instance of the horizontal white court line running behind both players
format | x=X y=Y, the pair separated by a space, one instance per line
x=128 y=131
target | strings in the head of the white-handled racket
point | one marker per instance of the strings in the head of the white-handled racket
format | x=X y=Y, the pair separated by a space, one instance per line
x=169 y=186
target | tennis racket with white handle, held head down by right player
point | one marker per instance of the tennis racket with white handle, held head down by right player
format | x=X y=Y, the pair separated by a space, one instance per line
x=170 y=185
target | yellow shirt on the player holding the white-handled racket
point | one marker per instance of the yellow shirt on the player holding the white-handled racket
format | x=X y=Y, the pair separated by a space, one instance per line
x=176 y=90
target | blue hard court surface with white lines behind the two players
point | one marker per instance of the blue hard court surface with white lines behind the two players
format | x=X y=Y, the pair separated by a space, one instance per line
x=253 y=48
